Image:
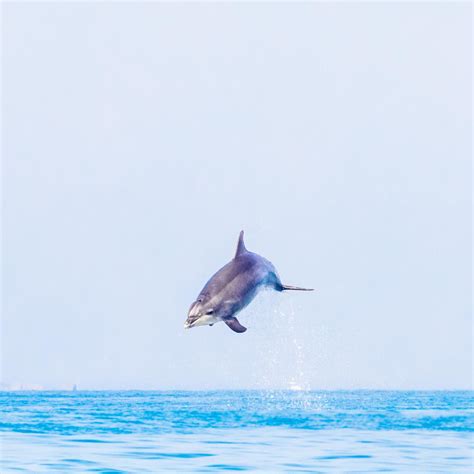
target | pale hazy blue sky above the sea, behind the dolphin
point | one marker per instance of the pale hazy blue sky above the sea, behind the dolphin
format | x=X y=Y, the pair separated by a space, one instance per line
x=138 y=139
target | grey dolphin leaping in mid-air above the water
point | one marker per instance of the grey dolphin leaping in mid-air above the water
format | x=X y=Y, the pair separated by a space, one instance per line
x=233 y=287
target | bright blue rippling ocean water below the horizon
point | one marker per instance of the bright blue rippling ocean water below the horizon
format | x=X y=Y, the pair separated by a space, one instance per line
x=205 y=431
